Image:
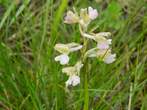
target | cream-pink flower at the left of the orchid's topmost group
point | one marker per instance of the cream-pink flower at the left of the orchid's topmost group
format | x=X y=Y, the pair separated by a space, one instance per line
x=71 y=18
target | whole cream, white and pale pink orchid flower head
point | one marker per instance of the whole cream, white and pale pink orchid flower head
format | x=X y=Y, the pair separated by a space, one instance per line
x=102 y=51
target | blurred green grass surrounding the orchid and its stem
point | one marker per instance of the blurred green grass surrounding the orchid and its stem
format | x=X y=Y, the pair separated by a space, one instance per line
x=30 y=79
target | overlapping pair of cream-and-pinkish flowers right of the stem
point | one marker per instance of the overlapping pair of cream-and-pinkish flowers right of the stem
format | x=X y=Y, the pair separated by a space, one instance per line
x=102 y=50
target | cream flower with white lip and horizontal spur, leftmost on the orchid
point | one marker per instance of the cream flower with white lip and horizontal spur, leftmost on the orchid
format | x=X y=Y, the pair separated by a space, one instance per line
x=65 y=49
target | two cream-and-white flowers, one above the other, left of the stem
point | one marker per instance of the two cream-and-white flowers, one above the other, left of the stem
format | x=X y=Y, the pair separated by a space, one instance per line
x=72 y=71
